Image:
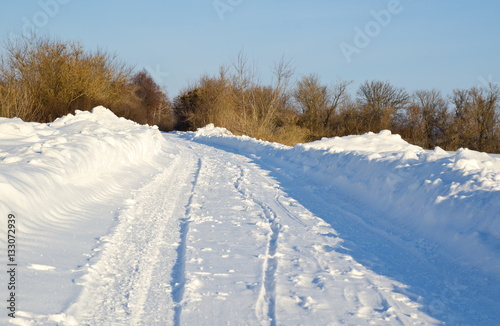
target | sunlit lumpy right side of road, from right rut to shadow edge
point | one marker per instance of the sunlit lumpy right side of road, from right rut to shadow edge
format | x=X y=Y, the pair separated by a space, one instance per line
x=313 y=279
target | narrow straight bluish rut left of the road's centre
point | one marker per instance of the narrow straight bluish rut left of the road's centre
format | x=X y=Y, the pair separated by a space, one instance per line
x=179 y=270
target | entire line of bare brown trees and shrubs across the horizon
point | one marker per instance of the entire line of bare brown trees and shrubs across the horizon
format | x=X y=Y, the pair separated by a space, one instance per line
x=43 y=78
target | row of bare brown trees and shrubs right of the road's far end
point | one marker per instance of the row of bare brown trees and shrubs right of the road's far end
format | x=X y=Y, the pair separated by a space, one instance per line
x=292 y=111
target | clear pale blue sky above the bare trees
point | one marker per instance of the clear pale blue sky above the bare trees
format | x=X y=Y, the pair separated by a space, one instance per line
x=416 y=44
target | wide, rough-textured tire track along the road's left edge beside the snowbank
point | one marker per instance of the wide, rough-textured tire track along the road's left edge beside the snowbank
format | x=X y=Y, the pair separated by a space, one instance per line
x=117 y=286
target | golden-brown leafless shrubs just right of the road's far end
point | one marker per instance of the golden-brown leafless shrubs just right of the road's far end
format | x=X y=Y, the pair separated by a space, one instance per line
x=234 y=100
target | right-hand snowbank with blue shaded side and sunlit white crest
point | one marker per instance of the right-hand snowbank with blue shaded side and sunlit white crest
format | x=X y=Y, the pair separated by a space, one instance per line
x=449 y=198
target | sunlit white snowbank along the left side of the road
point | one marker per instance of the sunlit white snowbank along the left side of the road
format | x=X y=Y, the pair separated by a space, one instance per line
x=65 y=182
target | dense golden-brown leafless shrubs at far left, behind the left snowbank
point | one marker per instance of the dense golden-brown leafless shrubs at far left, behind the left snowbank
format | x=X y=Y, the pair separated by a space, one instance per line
x=43 y=78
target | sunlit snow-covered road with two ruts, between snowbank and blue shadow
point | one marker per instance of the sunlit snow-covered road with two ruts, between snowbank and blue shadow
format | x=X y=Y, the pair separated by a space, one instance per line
x=214 y=240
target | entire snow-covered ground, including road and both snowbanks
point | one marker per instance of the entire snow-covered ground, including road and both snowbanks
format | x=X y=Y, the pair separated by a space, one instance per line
x=117 y=223
